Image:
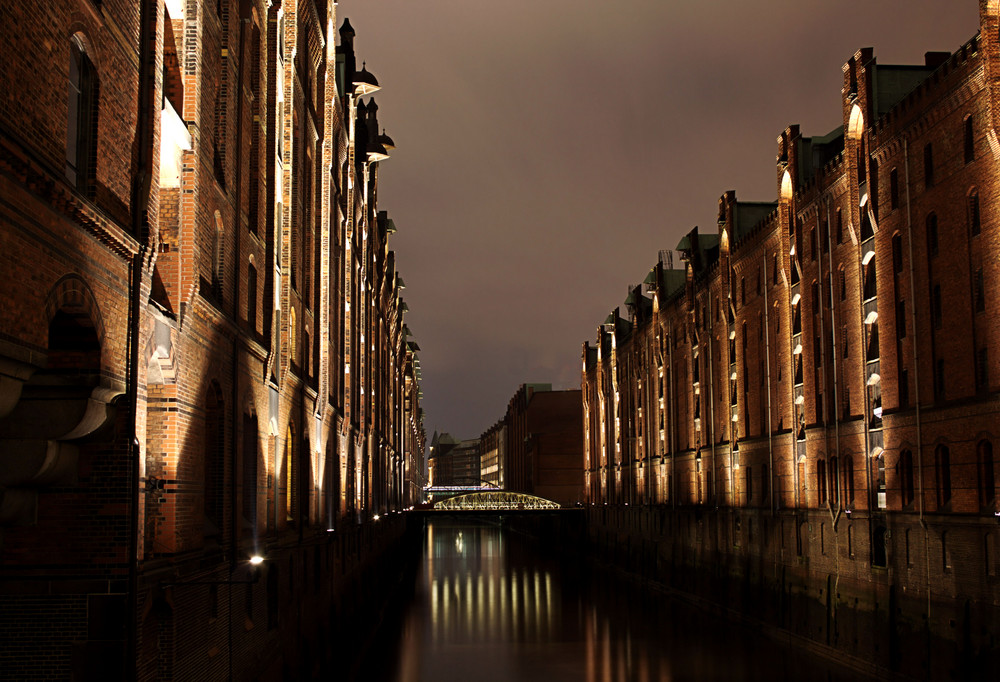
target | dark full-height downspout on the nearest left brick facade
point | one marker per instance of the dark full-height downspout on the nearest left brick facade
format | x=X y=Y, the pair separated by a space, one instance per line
x=140 y=204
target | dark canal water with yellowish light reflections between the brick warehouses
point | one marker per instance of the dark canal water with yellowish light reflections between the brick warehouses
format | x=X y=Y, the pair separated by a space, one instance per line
x=489 y=605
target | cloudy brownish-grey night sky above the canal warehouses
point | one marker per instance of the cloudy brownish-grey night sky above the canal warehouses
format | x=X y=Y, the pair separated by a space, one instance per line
x=547 y=149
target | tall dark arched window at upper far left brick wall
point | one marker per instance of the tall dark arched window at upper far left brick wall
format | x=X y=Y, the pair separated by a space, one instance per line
x=81 y=124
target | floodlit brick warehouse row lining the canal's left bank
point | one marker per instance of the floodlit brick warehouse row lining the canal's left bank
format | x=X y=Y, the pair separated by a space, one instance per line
x=203 y=353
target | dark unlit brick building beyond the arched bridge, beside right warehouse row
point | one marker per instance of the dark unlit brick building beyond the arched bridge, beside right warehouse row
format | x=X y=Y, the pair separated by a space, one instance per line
x=536 y=448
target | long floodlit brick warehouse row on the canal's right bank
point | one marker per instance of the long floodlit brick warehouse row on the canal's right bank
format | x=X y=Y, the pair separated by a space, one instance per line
x=824 y=368
